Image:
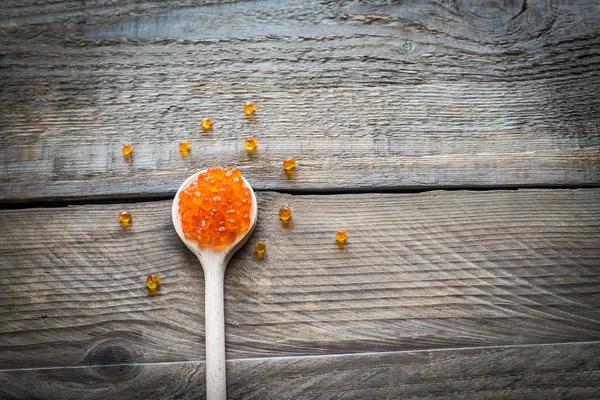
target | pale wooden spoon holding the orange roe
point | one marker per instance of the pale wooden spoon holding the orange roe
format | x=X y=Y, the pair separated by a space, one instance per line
x=214 y=263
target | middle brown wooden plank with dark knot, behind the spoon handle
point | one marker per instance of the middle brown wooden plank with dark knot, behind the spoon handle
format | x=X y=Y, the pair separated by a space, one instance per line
x=419 y=271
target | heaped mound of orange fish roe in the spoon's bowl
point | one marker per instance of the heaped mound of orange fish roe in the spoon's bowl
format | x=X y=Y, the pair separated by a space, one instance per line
x=215 y=208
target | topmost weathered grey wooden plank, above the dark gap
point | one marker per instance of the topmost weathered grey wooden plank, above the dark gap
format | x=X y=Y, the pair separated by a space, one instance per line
x=409 y=95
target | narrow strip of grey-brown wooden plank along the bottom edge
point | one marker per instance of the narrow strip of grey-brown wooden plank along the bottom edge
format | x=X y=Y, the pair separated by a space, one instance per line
x=567 y=371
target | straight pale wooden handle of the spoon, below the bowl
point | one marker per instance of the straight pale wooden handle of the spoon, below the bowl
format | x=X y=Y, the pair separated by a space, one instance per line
x=216 y=388
